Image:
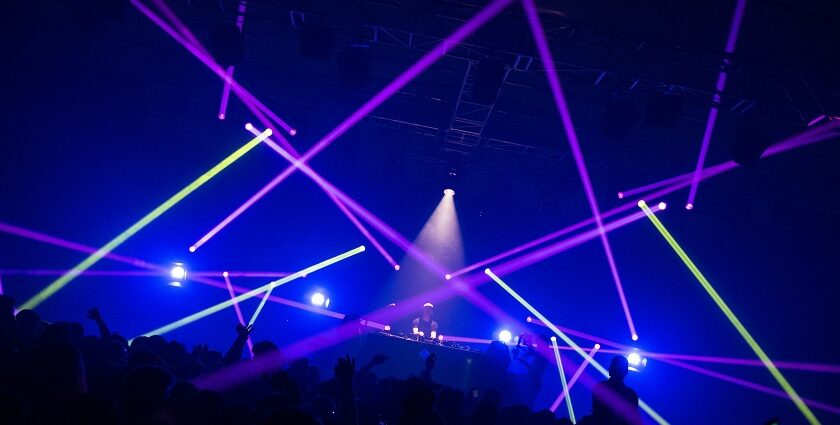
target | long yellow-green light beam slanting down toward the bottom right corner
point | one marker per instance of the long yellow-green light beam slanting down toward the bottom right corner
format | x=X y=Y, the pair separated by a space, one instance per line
x=731 y=316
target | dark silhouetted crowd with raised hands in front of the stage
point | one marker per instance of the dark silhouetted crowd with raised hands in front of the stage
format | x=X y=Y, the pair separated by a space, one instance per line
x=52 y=373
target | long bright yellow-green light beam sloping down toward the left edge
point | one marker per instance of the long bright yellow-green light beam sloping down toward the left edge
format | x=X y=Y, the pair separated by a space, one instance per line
x=71 y=274
